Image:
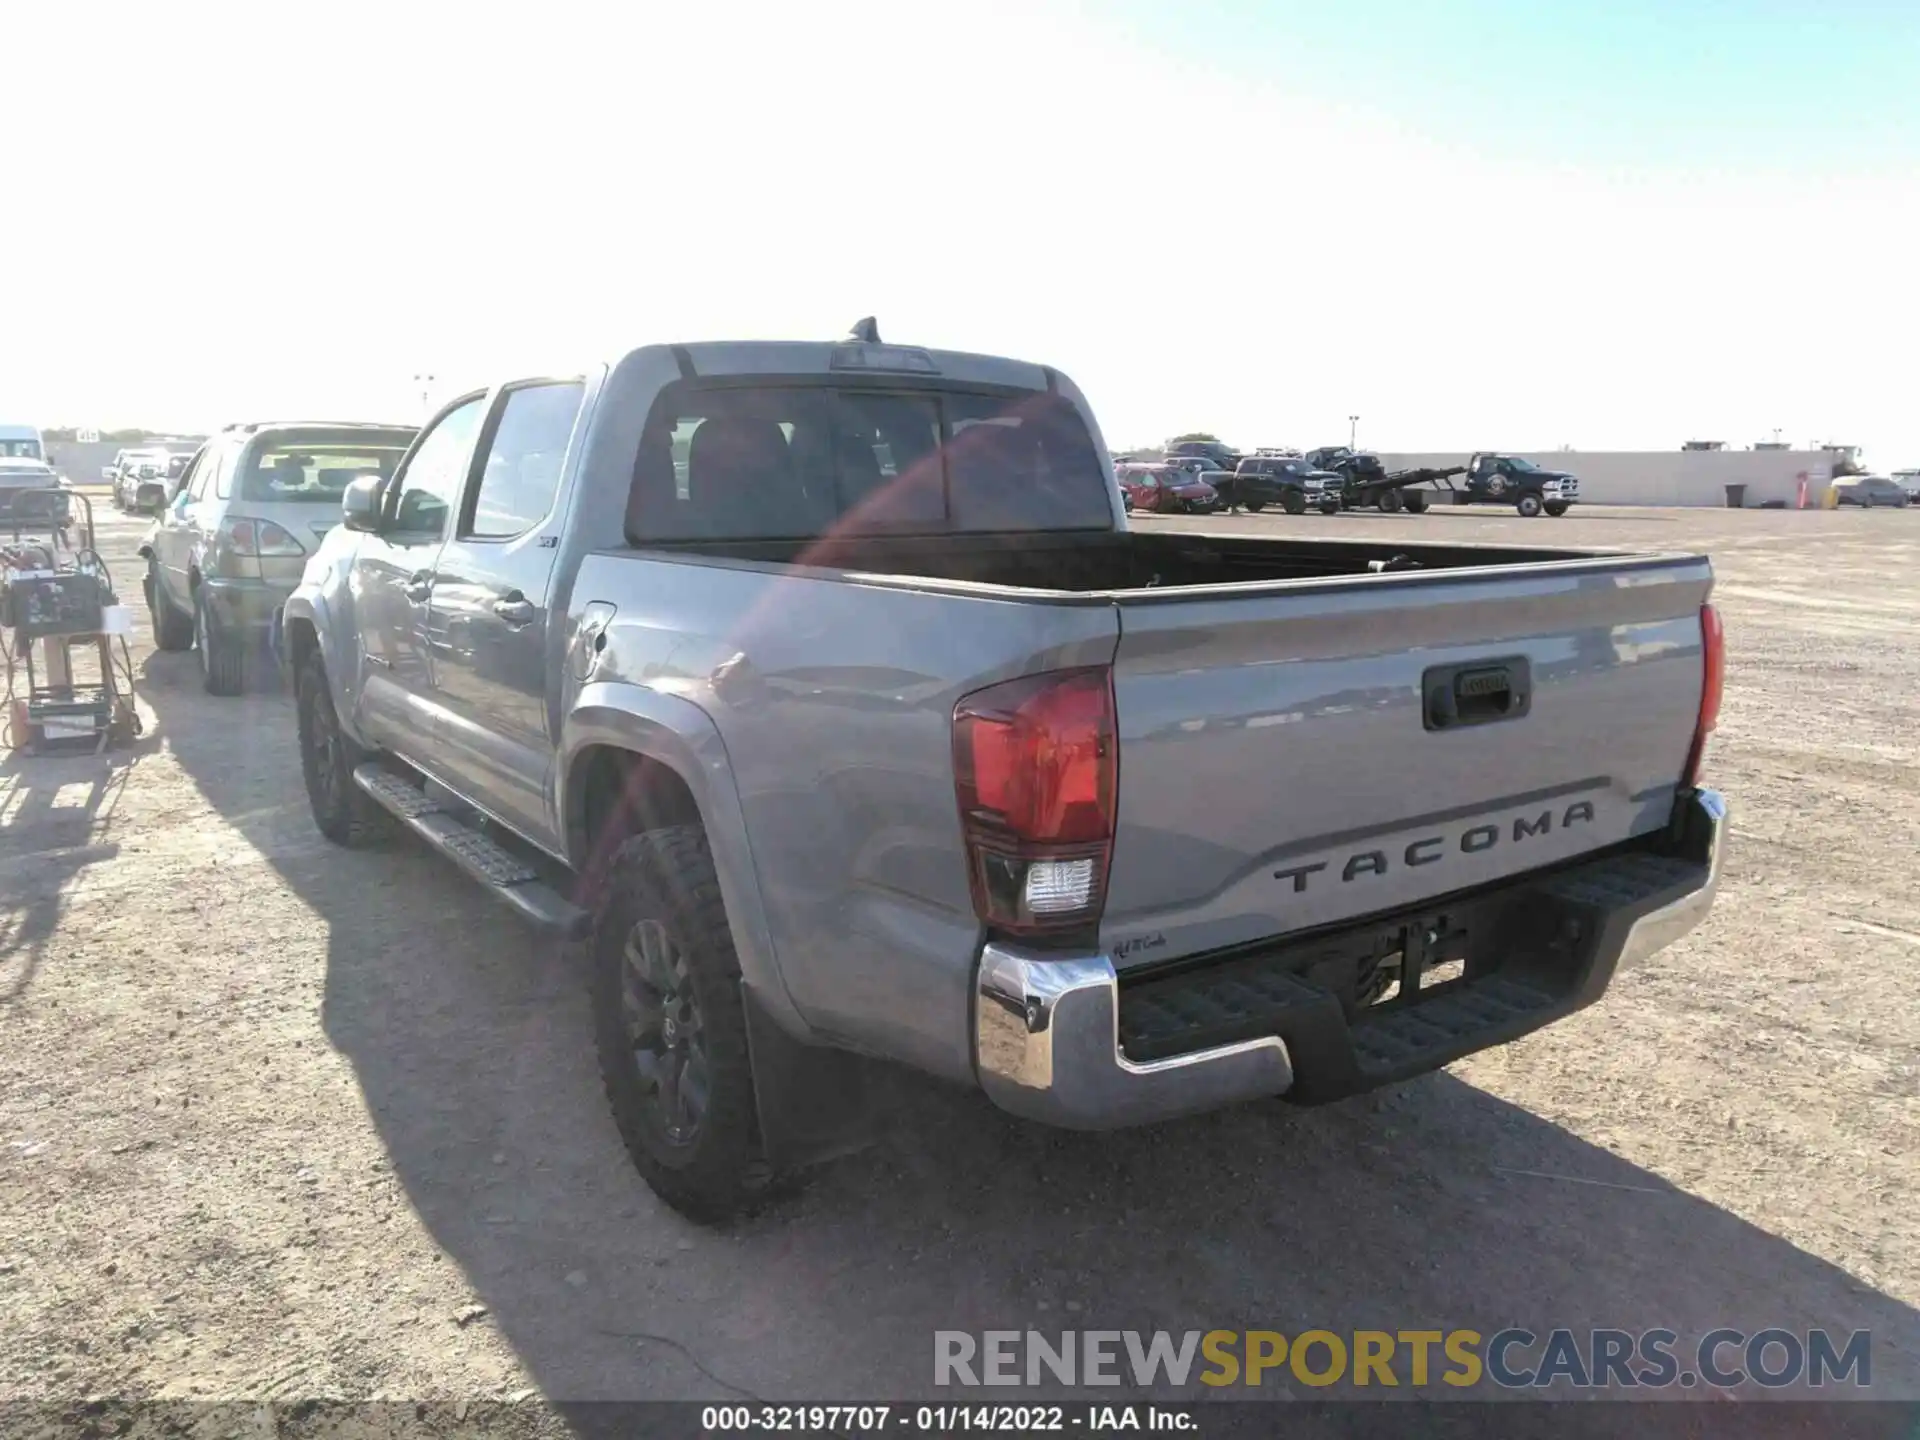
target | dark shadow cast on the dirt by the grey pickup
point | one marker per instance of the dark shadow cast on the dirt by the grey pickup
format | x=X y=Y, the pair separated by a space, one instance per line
x=1431 y=1207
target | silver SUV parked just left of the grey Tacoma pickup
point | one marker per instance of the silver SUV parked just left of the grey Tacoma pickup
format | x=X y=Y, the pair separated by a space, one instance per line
x=235 y=535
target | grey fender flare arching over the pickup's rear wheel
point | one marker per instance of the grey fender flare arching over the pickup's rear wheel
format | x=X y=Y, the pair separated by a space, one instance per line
x=683 y=736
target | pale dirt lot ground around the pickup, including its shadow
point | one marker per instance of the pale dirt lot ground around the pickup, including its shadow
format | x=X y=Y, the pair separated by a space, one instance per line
x=283 y=1122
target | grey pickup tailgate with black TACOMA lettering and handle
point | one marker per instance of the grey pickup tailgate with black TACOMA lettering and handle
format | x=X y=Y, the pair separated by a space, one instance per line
x=1280 y=773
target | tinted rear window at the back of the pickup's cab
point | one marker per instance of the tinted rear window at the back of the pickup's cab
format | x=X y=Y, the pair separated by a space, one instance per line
x=804 y=460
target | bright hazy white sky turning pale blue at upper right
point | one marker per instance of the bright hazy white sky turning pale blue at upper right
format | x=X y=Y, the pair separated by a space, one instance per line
x=1472 y=224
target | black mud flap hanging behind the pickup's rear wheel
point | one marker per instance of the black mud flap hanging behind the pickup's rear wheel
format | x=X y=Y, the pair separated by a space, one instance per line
x=815 y=1101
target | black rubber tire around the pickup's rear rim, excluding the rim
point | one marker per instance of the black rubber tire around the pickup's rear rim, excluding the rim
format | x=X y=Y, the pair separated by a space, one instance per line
x=721 y=1172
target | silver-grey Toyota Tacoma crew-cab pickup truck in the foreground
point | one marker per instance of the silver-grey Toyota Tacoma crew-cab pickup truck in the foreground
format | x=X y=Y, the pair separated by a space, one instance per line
x=825 y=690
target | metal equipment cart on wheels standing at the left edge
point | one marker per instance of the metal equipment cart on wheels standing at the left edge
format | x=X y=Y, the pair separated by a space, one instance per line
x=68 y=669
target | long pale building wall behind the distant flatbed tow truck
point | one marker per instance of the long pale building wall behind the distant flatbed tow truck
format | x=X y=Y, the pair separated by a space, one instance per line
x=1669 y=477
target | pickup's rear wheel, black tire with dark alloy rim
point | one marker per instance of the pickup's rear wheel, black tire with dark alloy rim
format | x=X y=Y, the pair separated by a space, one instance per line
x=671 y=1028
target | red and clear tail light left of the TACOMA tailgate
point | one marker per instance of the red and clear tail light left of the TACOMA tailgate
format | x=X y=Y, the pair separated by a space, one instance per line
x=1038 y=779
